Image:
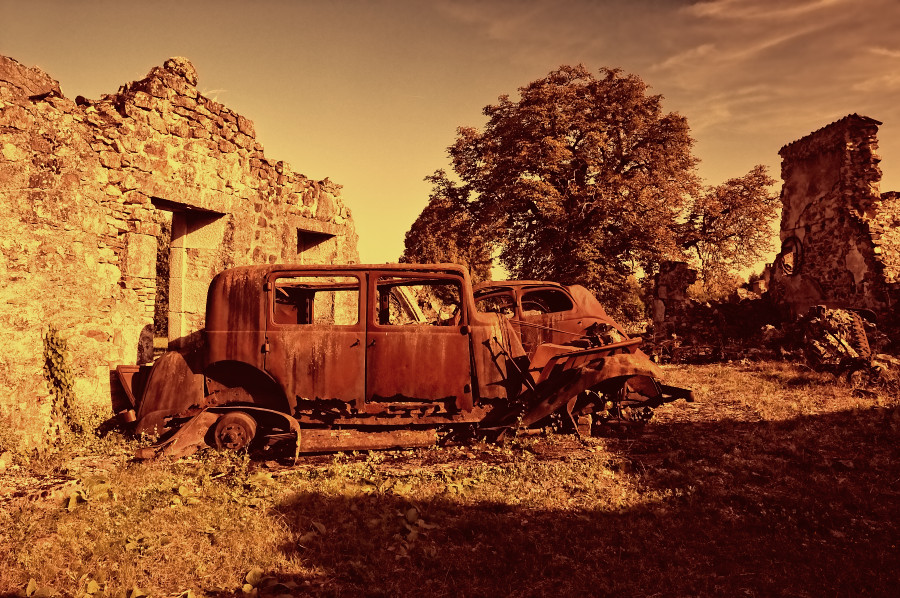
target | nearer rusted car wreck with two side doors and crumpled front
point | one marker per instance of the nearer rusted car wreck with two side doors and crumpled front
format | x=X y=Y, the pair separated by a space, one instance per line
x=364 y=357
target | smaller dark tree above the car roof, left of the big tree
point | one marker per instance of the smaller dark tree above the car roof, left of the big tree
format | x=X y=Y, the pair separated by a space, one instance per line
x=446 y=231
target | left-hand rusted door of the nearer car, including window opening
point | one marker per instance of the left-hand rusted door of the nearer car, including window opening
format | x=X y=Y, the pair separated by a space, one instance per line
x=315 y=334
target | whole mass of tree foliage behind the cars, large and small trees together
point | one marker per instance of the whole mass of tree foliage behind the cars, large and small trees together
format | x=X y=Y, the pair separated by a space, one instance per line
x=583 y=179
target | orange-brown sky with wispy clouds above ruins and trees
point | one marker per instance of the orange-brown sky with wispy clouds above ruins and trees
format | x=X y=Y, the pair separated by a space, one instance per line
x=370 y=93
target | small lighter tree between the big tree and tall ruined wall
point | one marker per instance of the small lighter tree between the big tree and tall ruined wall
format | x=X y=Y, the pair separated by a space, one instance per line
x=728 y=227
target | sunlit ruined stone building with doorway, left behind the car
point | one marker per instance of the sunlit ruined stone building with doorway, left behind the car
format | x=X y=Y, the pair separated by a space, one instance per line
x=116 y=215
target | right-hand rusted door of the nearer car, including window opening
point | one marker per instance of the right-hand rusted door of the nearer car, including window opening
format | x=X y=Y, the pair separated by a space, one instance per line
x=417 y=344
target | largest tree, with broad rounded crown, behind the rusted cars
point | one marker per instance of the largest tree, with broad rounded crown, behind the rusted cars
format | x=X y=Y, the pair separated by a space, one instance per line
x=581 y=179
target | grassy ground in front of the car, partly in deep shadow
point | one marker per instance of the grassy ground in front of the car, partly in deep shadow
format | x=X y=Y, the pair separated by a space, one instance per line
x=778 y=481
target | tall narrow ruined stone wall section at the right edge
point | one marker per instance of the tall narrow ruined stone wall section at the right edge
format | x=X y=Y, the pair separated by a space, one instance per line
x=839 y=246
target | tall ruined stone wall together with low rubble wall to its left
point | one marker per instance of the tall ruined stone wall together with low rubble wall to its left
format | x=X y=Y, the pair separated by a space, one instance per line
x=840 y=248
